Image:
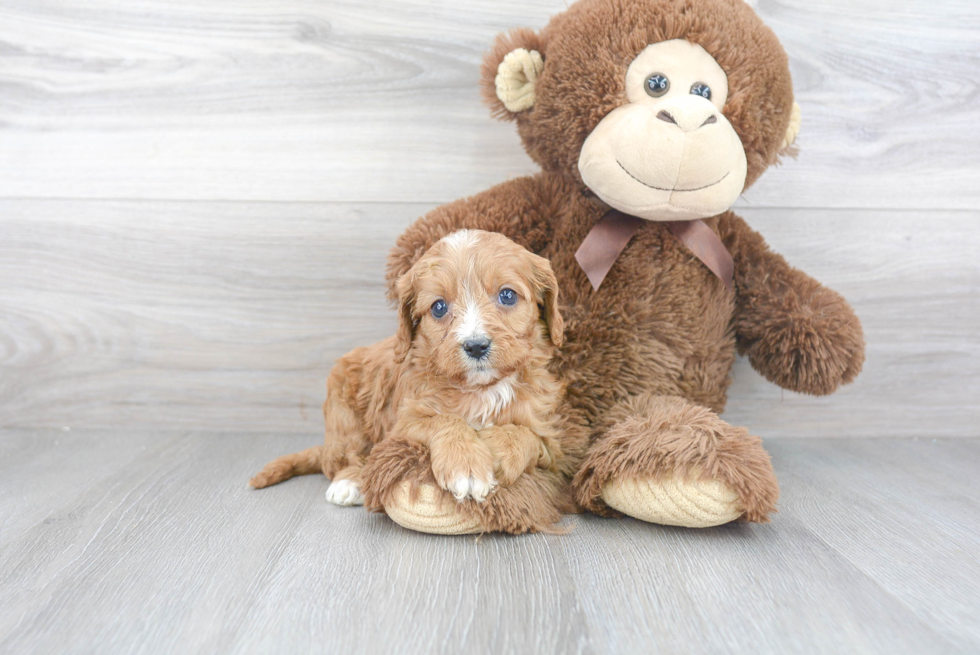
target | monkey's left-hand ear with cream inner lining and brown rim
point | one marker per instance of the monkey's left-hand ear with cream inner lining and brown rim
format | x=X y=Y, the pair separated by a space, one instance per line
x=510 y=72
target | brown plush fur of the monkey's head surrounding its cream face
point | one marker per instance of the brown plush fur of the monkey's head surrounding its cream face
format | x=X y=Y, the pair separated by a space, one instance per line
x=588 y=48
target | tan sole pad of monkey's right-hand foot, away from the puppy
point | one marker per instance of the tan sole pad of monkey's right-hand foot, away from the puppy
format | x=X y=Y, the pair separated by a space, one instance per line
x=692 y=504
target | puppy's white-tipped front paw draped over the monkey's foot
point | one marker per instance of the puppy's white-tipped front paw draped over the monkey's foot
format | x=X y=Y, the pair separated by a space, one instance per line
x=464 y=469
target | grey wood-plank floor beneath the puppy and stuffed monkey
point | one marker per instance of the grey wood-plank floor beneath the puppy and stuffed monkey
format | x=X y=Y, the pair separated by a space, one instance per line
x=169 y=551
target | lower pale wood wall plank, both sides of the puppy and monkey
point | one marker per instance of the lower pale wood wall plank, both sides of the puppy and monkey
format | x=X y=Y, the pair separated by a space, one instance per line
x=228 y=316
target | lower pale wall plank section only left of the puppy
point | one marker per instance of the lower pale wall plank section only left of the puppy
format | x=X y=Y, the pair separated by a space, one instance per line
x=185 y=314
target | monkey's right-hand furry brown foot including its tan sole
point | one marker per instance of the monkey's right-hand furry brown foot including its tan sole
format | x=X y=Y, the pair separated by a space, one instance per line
x=665 y=460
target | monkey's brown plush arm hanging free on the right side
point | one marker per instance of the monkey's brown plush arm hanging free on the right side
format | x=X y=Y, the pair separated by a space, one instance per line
x=796 y=332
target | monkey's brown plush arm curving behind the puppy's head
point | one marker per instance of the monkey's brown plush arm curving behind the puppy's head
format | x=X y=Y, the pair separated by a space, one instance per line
x=518 y=209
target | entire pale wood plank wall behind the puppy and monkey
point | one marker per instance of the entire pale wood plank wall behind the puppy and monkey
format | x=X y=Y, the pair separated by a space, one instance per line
x=196 y=198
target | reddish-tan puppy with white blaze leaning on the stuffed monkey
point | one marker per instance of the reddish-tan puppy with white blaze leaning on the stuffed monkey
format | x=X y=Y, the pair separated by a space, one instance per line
x=466 y=375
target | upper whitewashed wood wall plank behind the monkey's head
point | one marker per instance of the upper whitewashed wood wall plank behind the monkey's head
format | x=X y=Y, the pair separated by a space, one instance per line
x=352 y=101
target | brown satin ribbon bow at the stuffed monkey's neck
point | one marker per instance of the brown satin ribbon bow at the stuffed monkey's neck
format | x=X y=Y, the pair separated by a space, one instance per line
x=608 y=238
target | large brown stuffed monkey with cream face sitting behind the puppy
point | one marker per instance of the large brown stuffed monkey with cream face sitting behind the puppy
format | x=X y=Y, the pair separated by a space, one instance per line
x=648 y=119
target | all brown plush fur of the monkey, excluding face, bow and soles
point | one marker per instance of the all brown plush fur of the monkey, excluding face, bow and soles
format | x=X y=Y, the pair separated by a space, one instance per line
x=648 y=356
